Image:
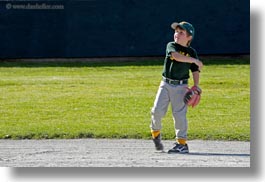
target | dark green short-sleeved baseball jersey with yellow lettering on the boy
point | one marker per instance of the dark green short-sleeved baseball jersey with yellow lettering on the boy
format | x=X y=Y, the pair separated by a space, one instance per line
x=178 y=70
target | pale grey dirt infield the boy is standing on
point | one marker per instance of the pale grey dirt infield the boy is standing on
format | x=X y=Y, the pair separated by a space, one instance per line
x=120 y=153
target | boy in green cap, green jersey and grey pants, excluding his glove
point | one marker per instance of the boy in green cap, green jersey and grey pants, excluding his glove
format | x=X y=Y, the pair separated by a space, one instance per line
x=180 y=58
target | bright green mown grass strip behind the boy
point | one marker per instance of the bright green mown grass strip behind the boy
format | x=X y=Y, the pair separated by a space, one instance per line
x=113 y=100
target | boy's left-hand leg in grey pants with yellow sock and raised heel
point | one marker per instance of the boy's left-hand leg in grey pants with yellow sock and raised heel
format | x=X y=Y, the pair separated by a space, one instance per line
x=157 y=113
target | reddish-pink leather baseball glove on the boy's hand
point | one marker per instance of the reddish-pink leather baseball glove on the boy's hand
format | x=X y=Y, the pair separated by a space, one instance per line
x=193 y=96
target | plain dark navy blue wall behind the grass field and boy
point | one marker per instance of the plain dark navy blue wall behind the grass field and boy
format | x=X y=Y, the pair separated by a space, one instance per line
x=100 y=28
